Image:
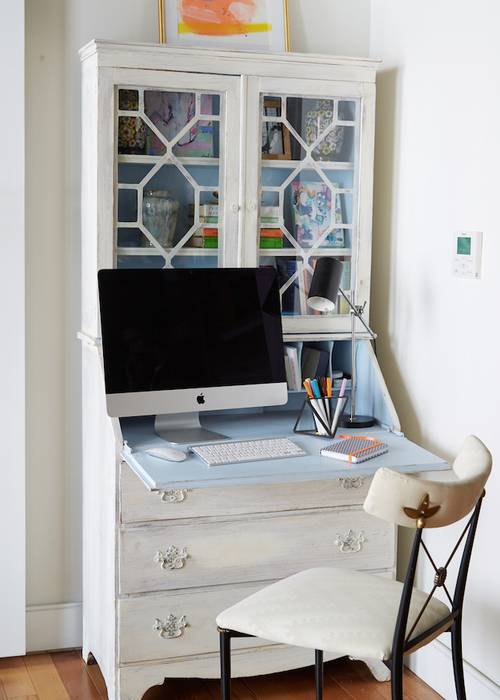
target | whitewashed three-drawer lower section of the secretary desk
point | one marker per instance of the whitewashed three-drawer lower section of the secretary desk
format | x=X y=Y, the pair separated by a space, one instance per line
x=184 y=555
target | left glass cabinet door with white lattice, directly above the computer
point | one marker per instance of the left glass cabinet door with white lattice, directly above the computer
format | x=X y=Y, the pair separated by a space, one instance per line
x=176 y=189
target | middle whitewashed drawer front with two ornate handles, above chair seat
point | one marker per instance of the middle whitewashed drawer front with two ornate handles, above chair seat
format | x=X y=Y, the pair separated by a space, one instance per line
x=173 y=556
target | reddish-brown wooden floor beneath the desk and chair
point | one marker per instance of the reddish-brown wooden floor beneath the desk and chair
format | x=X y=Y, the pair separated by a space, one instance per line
x=64 y=676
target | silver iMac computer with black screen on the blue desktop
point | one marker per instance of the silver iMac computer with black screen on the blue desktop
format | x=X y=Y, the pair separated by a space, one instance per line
x=177 y=342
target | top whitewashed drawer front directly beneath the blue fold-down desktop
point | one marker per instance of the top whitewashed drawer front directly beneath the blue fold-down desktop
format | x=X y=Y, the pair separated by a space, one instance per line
x=138 y=504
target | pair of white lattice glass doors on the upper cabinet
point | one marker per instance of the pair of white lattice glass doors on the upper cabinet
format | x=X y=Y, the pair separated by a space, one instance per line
x=237 y=169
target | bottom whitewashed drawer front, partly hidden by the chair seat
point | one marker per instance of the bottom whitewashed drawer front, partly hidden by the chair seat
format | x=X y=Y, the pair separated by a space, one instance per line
x=171 y=625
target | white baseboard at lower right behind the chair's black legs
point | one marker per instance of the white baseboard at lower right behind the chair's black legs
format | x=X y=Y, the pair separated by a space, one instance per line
x=433 y=664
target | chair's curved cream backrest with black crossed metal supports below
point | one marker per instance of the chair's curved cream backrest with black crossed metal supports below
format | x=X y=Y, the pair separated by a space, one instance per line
x=420 y=503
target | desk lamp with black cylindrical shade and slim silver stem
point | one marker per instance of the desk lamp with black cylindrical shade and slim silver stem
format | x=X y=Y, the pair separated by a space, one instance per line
x=323 y=296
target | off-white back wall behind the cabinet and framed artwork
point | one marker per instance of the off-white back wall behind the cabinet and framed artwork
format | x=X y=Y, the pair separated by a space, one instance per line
x=56 y=30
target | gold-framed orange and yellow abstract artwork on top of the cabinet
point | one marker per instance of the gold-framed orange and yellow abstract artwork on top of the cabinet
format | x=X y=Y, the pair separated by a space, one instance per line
x=252 y=25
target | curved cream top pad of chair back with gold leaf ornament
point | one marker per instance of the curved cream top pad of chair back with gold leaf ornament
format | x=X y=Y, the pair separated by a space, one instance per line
x=397 y=497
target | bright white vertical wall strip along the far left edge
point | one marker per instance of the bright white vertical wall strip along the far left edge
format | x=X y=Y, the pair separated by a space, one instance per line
x=12 y=320
